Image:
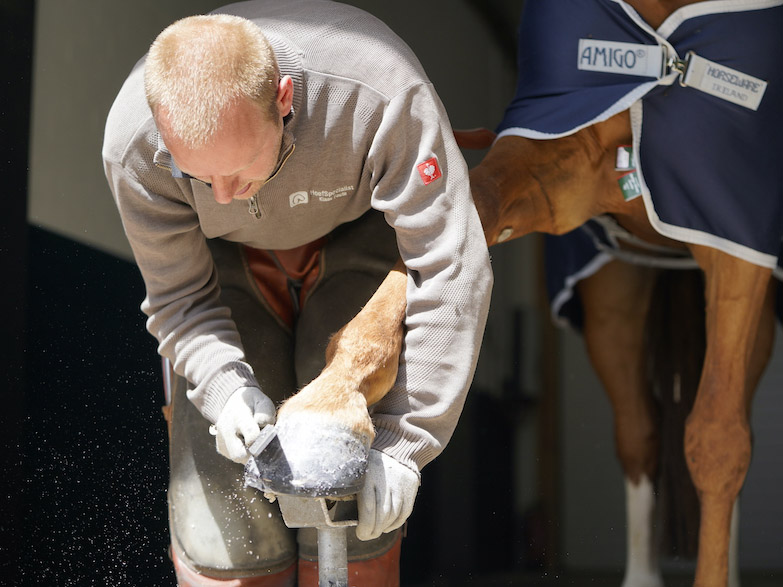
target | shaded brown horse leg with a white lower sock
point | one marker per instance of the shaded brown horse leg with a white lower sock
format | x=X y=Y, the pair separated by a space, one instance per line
x=615 y=302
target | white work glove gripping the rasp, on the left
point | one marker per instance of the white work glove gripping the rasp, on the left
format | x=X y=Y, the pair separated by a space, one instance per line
x=240 y=422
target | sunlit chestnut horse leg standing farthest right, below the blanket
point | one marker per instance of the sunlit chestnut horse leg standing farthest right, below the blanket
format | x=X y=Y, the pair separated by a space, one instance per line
x=717 y=434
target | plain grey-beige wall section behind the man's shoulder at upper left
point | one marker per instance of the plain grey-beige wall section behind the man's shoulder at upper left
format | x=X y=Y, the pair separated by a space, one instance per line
x=84 y=49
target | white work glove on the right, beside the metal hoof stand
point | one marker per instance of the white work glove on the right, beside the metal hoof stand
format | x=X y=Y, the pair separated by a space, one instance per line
x=386 y=500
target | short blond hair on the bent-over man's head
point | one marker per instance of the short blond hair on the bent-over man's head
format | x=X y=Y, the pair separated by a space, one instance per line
x=200 y=65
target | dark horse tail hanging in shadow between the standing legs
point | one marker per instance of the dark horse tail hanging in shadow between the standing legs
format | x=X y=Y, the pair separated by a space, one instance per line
x=676 y=344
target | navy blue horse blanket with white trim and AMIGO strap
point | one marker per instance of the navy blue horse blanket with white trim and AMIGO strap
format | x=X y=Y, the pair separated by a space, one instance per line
x=705 y=93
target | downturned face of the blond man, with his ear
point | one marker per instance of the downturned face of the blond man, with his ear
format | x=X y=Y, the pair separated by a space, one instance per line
x=240 y=157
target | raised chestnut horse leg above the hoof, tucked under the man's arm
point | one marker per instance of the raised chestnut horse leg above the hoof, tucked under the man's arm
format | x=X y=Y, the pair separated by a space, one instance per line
x=361 y=364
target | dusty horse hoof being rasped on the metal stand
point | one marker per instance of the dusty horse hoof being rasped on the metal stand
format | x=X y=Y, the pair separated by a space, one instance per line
x=312 y=456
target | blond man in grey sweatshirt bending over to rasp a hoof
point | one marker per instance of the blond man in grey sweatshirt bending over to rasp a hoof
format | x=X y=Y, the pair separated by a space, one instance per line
x=270 y=164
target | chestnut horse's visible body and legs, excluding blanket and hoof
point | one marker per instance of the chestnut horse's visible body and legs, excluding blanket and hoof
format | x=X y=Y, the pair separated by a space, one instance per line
x=555 y=185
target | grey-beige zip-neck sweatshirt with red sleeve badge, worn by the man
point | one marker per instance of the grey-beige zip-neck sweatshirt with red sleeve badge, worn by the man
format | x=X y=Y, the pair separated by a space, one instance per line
x=367 y=130
